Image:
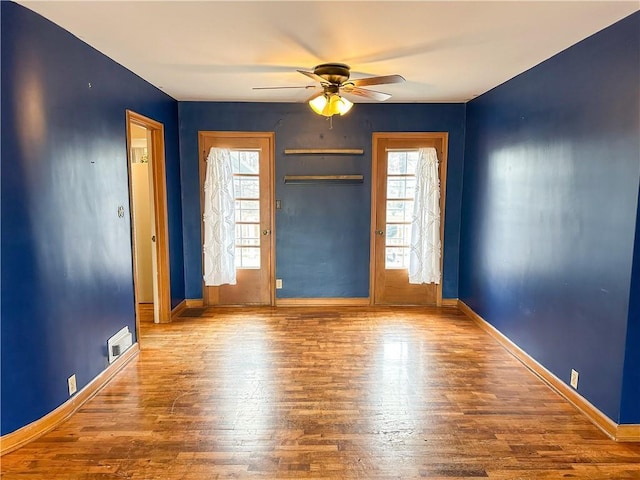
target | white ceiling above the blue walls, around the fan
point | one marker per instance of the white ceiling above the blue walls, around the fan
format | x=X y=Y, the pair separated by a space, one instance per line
x=448 y=51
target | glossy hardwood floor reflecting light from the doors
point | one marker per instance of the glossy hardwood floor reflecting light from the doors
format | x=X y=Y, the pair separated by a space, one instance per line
x=336 y=393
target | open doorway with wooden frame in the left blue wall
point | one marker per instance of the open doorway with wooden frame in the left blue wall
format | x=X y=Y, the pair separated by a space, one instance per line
x=149 y=234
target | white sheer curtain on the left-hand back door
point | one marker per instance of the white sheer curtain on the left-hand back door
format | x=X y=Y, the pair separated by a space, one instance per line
x=219 y=220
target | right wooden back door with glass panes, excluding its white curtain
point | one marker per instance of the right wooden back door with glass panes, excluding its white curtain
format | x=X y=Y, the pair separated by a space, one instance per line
x=395 y=157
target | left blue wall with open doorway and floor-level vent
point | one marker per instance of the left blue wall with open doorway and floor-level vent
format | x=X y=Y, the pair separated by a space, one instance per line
x=67 y=280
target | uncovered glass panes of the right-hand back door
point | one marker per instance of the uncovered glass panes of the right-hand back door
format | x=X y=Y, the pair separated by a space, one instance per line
x=401 y=185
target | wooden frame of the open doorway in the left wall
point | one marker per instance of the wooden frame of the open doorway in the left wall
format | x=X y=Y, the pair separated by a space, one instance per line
x=158 y=175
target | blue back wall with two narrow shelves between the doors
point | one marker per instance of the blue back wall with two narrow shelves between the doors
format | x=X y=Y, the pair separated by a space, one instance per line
x=322 y=231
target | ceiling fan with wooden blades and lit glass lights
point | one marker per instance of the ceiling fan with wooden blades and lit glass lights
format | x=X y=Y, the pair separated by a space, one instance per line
x=334 y=80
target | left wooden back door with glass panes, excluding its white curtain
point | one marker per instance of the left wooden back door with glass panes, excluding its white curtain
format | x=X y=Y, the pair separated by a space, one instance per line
x=252 y=160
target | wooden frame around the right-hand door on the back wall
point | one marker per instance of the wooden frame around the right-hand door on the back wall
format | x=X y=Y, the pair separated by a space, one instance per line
x=376 y=138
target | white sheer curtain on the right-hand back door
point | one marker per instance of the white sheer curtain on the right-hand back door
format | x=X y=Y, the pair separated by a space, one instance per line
x=424 y=259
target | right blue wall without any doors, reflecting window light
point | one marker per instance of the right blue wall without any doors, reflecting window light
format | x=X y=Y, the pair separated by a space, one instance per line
x=552 y=165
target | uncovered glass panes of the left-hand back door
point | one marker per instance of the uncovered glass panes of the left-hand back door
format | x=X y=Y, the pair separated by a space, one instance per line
x=246 y=179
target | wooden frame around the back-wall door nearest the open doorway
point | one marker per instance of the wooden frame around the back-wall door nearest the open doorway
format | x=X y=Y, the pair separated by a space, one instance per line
x=202 y=135
